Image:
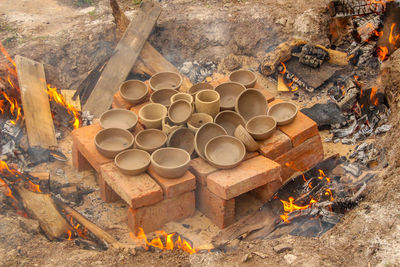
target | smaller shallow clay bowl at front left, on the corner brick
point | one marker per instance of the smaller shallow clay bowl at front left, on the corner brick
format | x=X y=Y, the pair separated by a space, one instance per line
x=132 y=161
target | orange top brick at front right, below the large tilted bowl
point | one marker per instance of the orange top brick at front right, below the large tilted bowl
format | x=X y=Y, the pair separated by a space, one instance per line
x=249 y=175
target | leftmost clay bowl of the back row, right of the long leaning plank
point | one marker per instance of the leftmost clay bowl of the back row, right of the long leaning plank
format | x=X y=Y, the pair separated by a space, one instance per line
x=133 y=91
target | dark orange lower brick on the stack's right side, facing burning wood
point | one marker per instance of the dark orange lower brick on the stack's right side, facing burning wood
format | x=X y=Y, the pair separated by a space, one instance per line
x=302 y=157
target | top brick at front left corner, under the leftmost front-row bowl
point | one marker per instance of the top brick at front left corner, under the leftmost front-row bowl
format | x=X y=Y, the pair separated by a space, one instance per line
x=138 y=191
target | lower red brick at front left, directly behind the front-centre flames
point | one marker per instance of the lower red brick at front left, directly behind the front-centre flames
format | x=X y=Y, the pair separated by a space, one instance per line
x=153 y=217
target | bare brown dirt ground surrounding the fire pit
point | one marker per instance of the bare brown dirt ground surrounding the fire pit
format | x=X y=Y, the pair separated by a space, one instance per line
x=71 y=36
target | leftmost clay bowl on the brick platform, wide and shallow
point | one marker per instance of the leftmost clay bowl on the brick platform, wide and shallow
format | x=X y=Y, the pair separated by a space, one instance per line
x=109 y=142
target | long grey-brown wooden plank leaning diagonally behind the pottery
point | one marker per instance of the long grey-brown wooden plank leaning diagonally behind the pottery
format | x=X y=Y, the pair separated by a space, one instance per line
x=123 y=59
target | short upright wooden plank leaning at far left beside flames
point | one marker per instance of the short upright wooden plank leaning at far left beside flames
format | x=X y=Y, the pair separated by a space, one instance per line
x=35 y=103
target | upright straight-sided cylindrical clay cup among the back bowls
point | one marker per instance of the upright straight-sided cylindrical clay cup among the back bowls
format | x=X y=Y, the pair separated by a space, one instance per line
x=207 y=101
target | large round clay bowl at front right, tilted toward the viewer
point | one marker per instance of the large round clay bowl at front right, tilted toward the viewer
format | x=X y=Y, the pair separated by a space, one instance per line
x=225 y=152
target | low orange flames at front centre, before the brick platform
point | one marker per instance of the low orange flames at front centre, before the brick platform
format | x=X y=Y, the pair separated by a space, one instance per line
x=163 y=241
